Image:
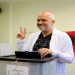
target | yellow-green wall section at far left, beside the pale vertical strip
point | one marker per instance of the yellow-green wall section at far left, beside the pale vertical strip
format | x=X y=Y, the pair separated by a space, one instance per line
x=4 y=22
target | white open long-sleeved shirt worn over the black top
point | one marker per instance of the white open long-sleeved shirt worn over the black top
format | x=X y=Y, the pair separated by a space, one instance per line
x=60 y=44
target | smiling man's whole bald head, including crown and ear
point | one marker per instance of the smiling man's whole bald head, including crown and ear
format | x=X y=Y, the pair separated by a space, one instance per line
x=45 y=21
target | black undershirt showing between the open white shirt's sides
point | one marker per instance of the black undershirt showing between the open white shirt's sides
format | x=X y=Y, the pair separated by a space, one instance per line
x=42 y=42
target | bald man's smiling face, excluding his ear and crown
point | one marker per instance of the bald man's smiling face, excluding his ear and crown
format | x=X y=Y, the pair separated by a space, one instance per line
x=44 y=22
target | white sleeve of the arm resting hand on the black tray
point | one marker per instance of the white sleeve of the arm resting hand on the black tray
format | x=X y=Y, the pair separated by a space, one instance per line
x=65 y=55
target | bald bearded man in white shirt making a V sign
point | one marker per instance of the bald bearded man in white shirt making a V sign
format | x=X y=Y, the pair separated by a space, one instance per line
x=48 y=41
